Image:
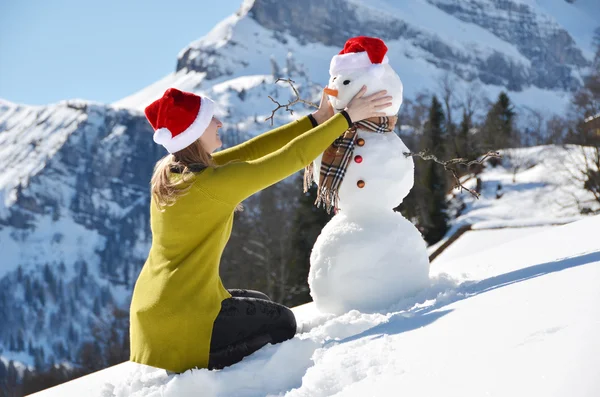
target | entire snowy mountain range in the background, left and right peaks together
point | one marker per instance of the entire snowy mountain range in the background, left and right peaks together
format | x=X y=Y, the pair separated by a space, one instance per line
x=74 y=227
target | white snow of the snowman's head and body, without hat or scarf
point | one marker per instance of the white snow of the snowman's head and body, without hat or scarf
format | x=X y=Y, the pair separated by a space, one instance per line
x=369 y=257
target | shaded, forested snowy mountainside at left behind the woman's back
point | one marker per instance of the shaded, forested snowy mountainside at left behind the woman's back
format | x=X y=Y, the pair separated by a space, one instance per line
x=73 y=221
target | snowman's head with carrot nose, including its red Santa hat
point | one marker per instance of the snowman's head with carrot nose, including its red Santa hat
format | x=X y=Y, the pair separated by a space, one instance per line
x=363 y=62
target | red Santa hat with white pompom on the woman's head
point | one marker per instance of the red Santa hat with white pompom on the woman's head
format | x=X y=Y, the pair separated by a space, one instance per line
x=179 y=118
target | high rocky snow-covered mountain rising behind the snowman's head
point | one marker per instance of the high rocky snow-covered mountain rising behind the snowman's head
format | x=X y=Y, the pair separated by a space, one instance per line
x=537 y=50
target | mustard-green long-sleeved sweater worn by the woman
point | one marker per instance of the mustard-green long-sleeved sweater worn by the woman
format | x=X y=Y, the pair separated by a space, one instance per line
x=178 y=293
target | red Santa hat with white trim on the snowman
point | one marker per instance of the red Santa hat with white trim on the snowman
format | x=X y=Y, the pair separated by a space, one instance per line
x=361 y=52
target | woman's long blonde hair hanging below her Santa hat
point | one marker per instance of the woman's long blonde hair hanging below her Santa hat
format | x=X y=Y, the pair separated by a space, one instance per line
x=166 y=190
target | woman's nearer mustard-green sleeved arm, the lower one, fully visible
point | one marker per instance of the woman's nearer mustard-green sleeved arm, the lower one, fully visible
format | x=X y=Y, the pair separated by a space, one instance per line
x=235 y=182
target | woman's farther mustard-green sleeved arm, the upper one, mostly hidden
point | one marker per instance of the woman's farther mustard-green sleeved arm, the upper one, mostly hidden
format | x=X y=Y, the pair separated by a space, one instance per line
x=265 y=143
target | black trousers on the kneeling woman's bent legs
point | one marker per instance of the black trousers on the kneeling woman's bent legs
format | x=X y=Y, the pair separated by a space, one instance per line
x=244 y=325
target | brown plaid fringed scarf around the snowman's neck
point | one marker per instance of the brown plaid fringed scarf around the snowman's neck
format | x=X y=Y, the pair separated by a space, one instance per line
x=336 y=159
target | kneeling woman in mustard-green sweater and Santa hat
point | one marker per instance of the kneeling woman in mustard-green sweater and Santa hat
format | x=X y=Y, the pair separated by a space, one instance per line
x=181 y=315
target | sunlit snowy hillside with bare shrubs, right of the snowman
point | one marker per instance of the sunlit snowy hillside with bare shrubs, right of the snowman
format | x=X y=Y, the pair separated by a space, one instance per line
x=540 y=187
